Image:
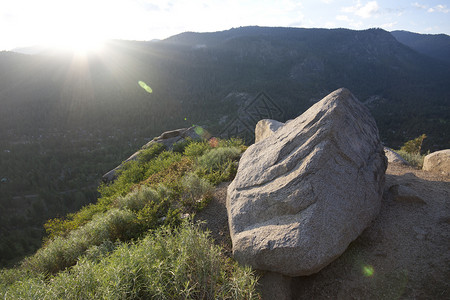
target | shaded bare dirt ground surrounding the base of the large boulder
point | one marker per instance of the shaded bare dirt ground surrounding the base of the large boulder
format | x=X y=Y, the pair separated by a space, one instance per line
x=404 y=254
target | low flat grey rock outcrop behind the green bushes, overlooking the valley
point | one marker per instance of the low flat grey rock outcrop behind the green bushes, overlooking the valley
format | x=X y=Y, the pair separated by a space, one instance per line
x=168 y=139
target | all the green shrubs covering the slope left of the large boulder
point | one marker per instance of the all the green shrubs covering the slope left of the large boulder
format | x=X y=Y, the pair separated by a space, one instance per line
x=138 y=241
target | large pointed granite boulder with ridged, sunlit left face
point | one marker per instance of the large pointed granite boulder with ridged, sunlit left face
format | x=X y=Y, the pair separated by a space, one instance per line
x=302 y=194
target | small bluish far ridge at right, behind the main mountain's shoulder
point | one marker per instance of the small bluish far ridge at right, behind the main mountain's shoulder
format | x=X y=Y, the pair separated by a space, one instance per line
x=433 y=45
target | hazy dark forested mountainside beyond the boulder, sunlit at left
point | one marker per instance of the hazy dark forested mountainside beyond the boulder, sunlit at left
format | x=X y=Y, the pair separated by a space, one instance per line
x=66 y=119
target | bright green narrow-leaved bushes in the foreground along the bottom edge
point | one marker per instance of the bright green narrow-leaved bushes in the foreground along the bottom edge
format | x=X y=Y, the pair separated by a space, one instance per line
x=166 y=264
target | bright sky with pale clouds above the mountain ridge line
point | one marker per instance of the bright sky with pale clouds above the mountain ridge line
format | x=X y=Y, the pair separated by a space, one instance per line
x=85 y=23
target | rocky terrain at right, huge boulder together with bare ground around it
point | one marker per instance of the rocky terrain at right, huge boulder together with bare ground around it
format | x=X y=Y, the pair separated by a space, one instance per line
x=296 y=201
